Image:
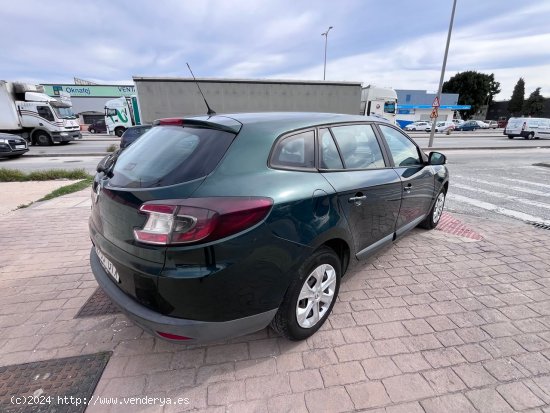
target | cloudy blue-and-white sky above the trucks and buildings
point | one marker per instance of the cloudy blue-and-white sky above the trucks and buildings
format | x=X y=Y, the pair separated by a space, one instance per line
x=398 y=44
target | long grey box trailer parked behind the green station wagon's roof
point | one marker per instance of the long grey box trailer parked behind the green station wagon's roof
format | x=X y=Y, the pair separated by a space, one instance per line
x=168 y=97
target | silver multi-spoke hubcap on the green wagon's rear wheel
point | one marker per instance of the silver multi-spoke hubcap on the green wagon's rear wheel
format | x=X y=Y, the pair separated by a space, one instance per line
x=316 y=296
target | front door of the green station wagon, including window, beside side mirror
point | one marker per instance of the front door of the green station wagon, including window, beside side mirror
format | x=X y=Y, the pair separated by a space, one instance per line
x=417 y=177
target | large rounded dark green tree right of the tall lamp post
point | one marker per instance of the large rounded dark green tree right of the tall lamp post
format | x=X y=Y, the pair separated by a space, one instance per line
x=473 y=88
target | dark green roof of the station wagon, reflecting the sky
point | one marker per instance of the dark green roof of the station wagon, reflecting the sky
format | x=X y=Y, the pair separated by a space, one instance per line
x=280 y=122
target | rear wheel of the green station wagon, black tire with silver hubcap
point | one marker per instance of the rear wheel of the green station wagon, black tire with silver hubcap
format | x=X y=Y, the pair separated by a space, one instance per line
x=303 y=310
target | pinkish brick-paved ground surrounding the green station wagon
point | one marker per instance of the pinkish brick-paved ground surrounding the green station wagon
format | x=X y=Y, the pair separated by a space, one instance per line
x=437 y=322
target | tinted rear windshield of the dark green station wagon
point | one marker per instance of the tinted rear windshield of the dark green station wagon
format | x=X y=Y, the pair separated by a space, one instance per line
x=169 y=155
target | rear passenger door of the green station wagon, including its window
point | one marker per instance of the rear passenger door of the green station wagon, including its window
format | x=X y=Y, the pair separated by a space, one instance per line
x=368 y=189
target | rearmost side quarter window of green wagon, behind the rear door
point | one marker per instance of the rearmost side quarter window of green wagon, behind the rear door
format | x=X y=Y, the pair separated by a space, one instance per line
x=296 y=151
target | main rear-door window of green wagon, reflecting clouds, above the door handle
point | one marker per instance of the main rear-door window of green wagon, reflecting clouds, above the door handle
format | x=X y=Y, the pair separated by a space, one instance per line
x=359 y=147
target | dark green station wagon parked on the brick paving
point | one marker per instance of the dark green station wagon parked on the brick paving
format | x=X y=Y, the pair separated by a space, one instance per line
x=212 y=227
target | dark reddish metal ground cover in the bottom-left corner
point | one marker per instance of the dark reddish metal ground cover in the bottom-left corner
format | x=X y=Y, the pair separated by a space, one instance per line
x=60 y=385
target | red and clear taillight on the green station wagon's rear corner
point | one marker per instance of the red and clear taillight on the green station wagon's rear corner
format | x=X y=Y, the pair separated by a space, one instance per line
x=199 y=219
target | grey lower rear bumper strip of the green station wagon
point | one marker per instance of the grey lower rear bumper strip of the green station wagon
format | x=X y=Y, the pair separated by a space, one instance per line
x=153 y=322
